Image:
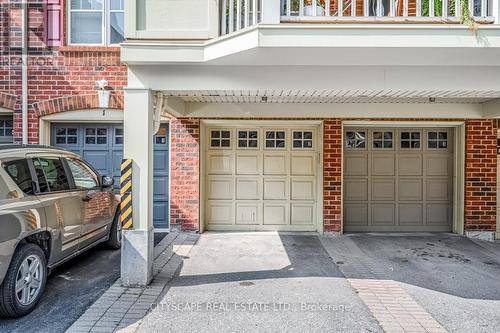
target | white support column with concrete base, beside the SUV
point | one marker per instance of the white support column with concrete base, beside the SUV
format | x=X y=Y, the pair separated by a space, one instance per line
x=137 y=243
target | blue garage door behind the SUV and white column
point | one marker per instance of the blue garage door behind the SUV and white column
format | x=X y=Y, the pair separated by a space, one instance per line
x=102 y=146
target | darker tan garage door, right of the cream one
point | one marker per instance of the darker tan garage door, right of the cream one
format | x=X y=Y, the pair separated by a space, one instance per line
x=398 y=180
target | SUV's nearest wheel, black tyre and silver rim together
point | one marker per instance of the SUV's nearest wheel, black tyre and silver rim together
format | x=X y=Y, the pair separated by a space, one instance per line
x=24 y=282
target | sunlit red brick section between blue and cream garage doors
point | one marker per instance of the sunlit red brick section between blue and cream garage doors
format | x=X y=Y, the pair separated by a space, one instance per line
x=185 y=173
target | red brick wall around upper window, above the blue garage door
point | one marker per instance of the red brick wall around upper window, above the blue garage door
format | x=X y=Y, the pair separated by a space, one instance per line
x=55 y=75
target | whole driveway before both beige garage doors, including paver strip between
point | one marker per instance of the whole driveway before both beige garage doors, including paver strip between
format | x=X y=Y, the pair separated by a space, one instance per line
x=354 y=283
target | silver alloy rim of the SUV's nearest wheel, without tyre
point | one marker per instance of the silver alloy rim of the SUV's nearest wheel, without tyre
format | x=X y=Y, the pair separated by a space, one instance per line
x=29 y=279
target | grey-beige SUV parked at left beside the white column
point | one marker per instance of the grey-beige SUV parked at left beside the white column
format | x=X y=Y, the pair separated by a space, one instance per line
x=53 y=206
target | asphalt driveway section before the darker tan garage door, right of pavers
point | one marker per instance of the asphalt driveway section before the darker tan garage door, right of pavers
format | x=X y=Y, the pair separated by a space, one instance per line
x=455 y=279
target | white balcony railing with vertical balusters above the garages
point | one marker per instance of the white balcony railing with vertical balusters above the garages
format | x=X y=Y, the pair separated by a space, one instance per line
x=239 y=14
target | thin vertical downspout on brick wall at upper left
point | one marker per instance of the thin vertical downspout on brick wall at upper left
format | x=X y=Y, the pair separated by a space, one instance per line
x=24 y=72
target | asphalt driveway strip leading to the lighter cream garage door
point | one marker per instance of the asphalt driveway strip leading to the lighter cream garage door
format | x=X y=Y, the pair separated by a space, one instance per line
x=259 y=282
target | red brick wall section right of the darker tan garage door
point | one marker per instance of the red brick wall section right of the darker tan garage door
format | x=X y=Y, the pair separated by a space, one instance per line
x=480 y=175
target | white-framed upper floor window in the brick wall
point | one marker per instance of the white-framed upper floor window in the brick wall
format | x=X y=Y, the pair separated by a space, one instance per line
x=98 y=22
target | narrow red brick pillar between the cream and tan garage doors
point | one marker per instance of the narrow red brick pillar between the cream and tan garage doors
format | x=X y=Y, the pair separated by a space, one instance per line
x=332 y=175
